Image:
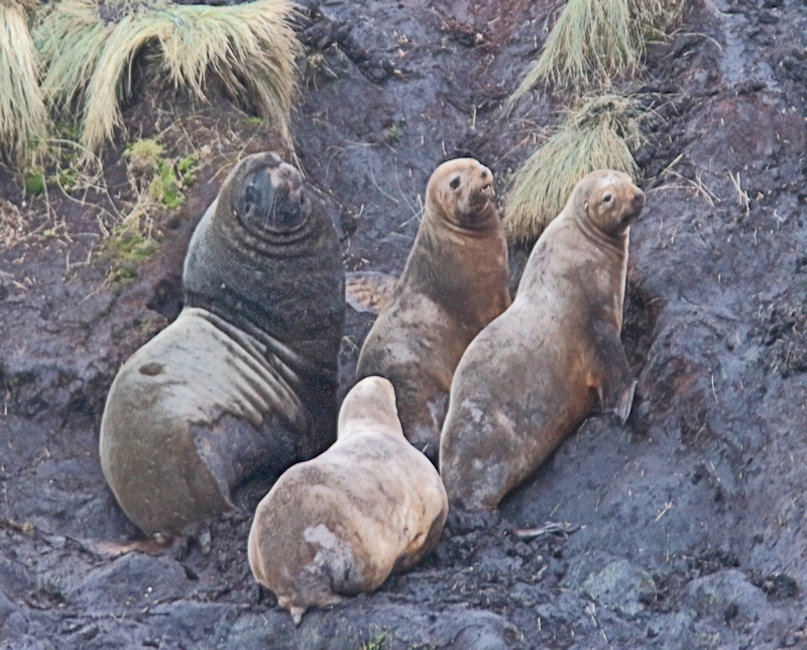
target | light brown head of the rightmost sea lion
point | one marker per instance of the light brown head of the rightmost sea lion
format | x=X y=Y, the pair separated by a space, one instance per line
x=608 y=201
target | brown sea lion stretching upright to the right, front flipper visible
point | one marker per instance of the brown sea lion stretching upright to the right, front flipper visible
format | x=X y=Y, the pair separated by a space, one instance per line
x=534 y=373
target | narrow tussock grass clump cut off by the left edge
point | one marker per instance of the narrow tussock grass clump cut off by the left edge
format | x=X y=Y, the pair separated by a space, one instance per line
x=23 y=117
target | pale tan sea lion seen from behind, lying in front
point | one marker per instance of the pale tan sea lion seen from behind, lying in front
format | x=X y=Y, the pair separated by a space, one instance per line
x=339 y=524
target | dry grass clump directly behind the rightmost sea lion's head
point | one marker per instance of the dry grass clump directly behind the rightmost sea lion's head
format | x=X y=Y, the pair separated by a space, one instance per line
x=599 y=133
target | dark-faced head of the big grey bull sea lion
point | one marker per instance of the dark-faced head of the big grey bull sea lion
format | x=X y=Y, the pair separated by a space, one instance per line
x=266 y=196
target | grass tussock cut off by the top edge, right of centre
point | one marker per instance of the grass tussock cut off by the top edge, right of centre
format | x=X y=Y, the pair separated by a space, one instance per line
x=594 y=41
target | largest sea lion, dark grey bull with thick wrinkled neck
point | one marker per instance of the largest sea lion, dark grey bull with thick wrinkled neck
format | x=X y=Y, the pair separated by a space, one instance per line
x=243 y=383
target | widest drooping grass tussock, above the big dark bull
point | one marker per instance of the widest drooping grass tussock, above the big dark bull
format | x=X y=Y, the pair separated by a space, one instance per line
x=88 y=49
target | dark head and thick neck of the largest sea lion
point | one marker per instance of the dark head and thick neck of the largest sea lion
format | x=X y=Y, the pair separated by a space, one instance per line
x=265 y=279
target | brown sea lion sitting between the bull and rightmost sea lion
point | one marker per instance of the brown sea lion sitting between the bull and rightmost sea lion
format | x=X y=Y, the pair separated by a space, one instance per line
x=454 y=283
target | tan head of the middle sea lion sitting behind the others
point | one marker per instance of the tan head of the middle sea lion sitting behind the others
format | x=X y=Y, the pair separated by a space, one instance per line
x=461 y=192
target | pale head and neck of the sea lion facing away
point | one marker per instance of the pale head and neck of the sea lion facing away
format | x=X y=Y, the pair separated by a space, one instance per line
x=371 y=401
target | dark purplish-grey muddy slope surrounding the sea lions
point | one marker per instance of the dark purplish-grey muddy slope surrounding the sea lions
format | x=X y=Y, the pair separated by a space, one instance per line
x=681 y=529
